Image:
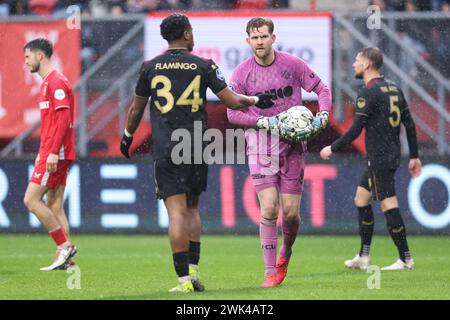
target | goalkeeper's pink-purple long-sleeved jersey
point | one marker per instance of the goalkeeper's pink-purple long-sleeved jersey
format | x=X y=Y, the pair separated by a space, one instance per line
x=284 y=78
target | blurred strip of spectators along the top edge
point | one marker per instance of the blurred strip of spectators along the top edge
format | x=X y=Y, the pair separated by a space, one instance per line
x=118 y=7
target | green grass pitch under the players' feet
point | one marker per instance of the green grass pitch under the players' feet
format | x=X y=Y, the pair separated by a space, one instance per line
x=140 y=267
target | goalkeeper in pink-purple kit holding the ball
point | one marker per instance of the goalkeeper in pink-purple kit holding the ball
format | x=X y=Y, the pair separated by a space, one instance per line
x=281 y=184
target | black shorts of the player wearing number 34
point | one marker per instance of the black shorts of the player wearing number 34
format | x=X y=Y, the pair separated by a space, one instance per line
x=171 y=179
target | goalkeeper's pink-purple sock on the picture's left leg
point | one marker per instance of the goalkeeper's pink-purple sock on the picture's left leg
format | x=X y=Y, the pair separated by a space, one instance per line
x=268 y=235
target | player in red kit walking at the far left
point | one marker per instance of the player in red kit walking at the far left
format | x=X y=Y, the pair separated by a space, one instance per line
x=56 y=151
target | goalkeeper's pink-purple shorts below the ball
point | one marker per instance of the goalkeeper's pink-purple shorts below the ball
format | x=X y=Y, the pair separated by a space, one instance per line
x=287 y=175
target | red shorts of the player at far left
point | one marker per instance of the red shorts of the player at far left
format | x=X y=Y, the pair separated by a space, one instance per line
x=52 y=181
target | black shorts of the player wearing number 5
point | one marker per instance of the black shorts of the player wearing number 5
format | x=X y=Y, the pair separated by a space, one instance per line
x=380 y=182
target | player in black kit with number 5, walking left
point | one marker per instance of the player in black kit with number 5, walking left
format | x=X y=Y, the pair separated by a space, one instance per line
x=380 y=108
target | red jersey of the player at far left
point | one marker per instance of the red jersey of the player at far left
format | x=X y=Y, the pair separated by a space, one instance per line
x=56 y=93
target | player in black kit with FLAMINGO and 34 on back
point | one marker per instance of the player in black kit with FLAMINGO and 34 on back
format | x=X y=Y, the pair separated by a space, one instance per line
x=177 y=81
